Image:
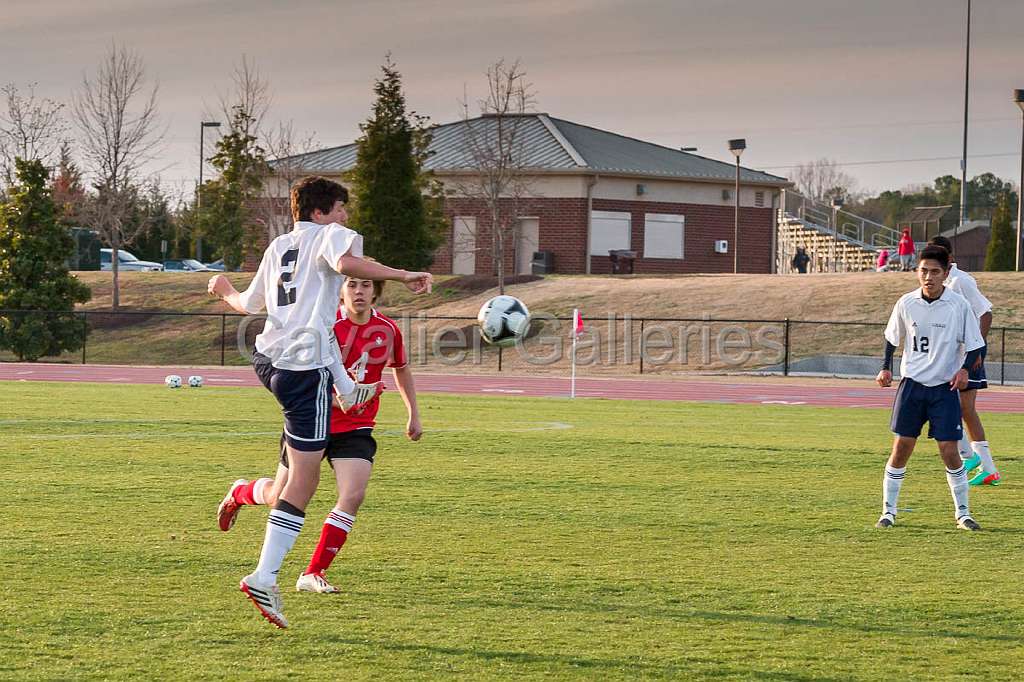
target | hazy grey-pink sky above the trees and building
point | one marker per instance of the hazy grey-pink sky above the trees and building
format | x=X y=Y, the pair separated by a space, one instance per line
x=856 y=81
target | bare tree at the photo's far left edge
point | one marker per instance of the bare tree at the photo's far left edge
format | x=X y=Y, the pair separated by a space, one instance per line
x=31 y=129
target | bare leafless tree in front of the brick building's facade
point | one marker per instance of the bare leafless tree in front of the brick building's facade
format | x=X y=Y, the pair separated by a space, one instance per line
x=497 y=154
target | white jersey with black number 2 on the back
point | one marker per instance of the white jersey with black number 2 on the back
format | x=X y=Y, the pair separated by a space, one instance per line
x=300 y=284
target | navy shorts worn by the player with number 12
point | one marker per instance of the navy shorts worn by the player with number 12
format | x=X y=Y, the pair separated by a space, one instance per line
x=917 y=404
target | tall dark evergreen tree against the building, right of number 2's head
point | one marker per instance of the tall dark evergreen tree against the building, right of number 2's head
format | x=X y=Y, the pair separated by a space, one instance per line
x=399 y=206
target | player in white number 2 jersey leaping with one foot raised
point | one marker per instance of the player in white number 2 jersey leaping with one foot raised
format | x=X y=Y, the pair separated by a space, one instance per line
x=297 y=358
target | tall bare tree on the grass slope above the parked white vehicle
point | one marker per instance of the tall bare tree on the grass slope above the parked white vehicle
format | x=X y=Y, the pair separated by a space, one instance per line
x=117 y=119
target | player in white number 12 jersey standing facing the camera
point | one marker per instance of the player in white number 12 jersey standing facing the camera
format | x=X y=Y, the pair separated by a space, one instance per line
x=936 y=326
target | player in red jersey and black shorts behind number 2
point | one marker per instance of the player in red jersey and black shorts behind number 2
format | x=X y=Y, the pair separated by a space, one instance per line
x=369 y=342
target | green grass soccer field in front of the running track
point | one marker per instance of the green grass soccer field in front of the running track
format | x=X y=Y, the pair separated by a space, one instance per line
x=523 y=539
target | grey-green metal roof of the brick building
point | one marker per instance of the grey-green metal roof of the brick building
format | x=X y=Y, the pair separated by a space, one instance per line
x=553 y=146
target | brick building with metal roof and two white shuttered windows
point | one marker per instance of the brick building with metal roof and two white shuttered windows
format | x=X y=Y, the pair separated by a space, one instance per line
x=592 y=192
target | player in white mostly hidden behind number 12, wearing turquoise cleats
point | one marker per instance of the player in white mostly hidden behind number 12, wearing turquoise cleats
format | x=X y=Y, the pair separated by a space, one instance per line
x=973 y=446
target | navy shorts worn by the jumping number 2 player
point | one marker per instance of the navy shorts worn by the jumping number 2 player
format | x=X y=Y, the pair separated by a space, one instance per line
x=305 y=397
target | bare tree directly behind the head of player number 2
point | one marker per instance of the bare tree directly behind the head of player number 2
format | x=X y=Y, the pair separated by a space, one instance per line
x=288 y=151
